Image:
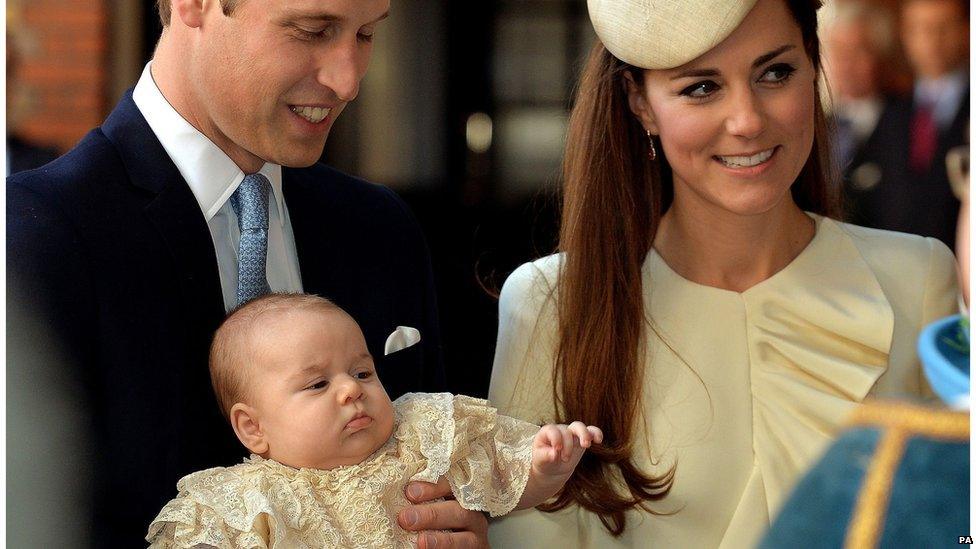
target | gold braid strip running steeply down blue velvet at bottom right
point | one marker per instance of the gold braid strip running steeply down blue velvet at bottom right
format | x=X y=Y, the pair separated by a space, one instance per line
x=867 y=520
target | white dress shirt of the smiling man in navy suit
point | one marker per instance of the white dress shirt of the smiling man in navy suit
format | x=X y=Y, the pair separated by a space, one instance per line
x=213 y=177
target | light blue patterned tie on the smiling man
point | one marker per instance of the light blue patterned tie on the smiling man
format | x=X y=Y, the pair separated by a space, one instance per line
x=250 y=203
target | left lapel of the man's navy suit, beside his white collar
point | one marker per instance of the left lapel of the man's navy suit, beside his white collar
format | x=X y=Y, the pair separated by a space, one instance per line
x=171 y=207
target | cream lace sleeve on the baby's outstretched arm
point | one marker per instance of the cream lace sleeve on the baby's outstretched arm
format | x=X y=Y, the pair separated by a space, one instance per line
x=485 y=457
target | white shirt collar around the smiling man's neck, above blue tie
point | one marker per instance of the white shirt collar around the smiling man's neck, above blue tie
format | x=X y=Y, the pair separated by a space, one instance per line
x=211 y=175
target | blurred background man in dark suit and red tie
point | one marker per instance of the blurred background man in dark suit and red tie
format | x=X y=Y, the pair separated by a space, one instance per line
x=897 y=181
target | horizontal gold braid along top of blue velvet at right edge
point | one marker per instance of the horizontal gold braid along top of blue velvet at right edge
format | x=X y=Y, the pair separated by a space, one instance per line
x=913 y=420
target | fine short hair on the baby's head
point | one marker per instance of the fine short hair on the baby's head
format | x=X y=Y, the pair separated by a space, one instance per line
x=229 y=360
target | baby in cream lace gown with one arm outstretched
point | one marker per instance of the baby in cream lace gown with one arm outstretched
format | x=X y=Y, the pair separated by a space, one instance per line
x=331 y=454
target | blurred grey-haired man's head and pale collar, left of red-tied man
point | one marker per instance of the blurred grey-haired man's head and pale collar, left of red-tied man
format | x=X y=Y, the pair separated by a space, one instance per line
x=858 y=39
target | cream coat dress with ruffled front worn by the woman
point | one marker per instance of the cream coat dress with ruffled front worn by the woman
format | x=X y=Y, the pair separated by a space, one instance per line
x=754 y=389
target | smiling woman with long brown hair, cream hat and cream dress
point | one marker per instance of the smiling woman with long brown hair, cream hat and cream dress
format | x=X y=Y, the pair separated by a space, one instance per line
x=705 y=310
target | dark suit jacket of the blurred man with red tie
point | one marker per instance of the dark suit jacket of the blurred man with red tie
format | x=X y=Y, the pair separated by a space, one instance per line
x=881 y=191
